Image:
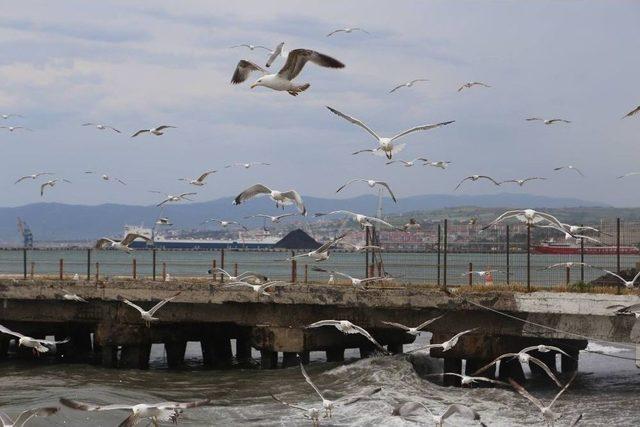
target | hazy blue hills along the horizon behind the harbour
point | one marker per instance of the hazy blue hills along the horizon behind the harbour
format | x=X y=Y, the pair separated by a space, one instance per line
x=55 y=221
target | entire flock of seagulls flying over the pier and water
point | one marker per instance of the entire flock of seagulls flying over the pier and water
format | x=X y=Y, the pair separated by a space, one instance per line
x=294 y=62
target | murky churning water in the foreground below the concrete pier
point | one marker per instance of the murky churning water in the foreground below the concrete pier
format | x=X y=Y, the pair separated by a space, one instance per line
x=607 y=391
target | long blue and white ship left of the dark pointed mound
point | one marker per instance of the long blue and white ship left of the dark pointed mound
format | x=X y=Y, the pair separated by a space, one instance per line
x=258 y=239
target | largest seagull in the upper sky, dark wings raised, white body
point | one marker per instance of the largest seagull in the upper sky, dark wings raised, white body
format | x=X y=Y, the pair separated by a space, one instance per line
x=282 y=80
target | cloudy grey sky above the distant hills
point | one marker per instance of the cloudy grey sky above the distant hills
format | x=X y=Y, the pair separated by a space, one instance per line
x=138 y=64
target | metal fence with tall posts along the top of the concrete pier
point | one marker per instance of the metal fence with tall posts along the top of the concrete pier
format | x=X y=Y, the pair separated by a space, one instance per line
x=440 y=254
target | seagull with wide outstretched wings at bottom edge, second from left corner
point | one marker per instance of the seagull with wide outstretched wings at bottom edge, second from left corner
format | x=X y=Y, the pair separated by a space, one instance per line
x=165 y=411
